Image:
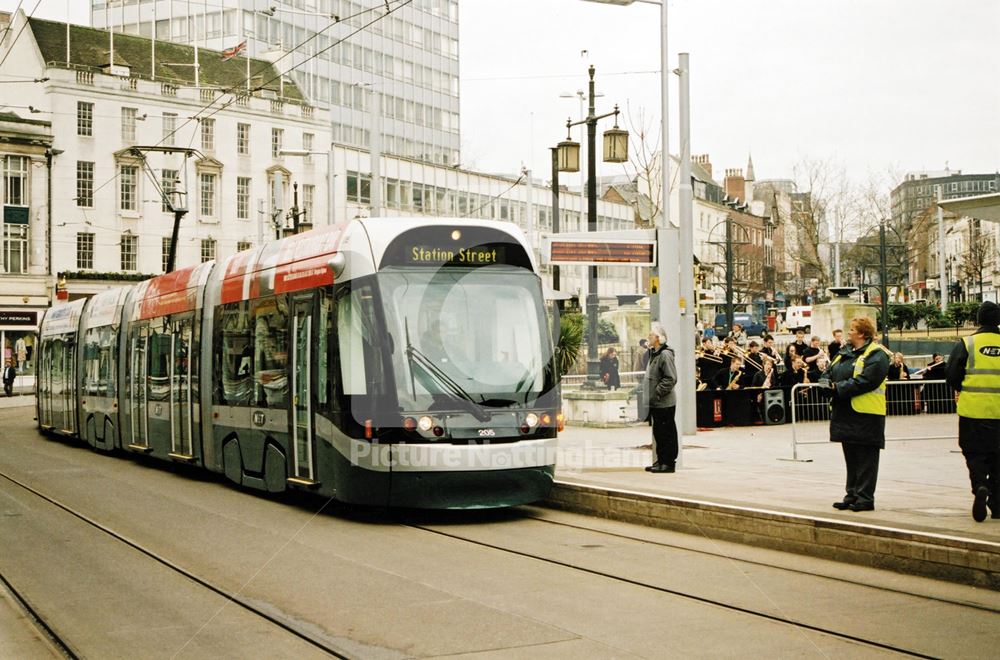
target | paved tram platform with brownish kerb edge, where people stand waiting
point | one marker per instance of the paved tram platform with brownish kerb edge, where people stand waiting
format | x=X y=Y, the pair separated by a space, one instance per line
x=740 y=484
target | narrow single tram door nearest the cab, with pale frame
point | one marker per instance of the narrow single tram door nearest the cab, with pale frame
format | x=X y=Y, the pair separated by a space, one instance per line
x=301 y=382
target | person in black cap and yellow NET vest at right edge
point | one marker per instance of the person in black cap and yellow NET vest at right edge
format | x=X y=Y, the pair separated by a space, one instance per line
x=974 y=370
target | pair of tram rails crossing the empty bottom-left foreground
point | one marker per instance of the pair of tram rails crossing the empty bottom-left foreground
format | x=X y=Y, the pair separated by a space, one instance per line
x=65 y=646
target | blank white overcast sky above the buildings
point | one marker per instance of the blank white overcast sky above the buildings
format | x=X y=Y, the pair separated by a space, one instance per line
x=873 y=85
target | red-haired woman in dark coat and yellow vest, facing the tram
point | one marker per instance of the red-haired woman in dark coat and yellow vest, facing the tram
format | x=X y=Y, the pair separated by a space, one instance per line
x=856 y=382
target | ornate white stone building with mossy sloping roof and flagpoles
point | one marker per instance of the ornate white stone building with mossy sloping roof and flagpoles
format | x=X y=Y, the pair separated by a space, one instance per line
x=129 y=134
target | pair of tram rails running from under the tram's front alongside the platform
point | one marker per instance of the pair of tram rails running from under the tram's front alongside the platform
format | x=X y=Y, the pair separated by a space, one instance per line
x=694 y=597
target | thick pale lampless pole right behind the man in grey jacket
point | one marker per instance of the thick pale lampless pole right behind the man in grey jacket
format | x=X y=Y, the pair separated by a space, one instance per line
x=688 y=296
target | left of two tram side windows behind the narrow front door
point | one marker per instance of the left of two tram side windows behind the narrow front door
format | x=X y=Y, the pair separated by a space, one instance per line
x=236 y=385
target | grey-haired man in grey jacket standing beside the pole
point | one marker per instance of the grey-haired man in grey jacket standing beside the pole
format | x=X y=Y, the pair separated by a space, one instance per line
x=658 y=388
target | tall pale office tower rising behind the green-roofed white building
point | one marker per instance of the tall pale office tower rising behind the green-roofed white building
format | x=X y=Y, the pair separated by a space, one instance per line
x=342 y=54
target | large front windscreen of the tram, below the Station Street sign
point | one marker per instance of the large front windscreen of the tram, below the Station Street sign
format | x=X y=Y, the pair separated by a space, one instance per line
x=477 y=334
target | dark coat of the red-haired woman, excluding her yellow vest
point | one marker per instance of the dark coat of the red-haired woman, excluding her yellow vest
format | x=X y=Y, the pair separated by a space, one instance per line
x=846 y=424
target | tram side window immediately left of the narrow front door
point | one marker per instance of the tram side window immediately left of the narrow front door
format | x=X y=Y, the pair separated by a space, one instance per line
x=270 y=319
